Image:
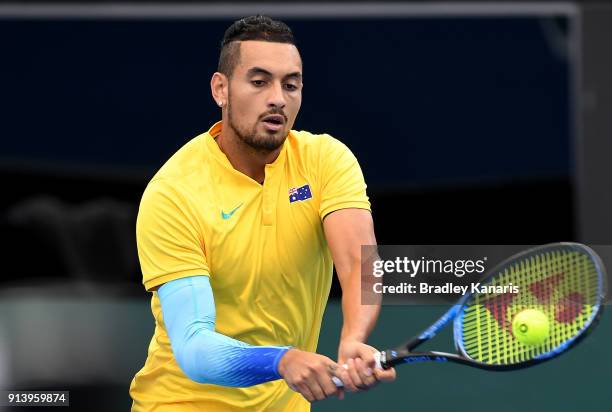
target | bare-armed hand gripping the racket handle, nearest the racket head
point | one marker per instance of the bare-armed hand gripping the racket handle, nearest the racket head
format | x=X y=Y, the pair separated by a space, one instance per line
x=361 y=372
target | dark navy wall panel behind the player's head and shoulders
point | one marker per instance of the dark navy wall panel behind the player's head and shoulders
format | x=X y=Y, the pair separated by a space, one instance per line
x=420 y=101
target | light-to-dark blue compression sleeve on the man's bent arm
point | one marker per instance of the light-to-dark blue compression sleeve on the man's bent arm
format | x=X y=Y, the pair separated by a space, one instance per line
x=204 y=355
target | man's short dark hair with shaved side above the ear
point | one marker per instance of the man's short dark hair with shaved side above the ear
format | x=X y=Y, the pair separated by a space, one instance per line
x=250 y=28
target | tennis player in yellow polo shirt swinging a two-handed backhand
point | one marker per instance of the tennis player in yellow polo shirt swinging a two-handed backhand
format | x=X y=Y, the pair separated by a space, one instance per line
x=236 y=236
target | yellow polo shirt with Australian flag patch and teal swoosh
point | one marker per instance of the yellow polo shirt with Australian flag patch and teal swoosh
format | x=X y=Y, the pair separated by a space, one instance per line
x=262 y=246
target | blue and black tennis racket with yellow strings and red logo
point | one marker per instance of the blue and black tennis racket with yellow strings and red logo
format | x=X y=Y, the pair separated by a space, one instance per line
x=564 y=281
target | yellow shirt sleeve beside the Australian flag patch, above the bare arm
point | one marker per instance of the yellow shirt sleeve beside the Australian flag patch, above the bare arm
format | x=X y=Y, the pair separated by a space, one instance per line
x=342 y=182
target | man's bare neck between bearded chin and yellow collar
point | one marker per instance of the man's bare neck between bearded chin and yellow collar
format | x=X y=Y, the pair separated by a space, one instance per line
x=243 y=157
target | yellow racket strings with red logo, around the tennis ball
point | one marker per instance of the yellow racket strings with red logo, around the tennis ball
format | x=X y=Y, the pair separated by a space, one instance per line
x=563 y=284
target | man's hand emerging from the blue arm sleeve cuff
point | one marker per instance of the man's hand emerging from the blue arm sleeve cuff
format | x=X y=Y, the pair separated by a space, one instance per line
x=309 y=374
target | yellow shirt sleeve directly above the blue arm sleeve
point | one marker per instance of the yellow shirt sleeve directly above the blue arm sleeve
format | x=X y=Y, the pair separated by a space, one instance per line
x=168 y=235
